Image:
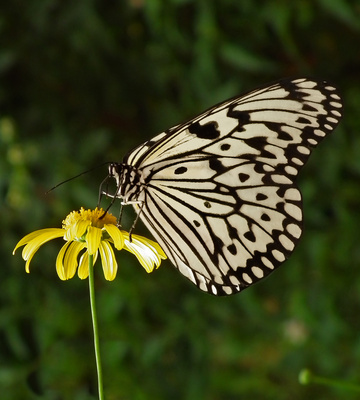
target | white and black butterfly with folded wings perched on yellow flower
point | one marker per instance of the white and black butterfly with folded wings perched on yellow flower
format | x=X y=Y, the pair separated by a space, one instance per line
x=218 y=192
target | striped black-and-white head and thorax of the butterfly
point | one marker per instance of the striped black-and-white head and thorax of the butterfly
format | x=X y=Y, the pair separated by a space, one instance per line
x=128 y=181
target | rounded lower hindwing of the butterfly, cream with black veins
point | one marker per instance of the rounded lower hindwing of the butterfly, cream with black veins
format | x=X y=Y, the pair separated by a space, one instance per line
x=221 y=229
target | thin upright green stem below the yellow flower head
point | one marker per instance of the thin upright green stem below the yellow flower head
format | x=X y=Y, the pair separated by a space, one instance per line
x=95 y=327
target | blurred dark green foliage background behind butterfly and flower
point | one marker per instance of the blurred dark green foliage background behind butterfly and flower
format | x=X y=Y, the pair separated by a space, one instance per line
x=83 y=82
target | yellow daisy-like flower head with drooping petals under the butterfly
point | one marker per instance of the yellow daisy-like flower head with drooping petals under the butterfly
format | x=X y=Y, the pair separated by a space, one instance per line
x=93 y=232
